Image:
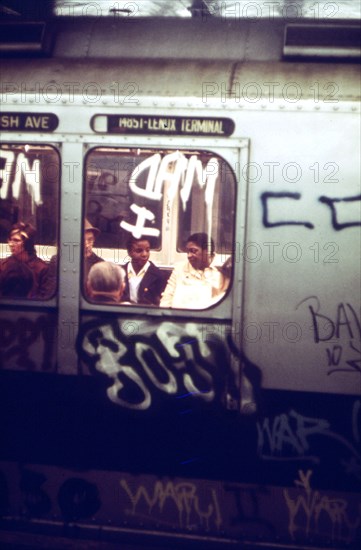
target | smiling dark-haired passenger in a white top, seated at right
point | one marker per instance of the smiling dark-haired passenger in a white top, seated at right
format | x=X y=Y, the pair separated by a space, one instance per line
x=196 y=283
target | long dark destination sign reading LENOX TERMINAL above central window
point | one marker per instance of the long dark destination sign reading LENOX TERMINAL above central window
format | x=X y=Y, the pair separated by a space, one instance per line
x=143 y=124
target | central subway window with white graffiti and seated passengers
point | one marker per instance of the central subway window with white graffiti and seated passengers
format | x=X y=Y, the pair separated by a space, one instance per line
x=158 y=227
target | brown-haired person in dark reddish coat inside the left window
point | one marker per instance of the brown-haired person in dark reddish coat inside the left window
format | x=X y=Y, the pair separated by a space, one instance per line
x=21 y=241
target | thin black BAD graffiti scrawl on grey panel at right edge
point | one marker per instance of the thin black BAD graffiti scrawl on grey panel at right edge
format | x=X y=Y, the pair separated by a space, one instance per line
x=345 y=325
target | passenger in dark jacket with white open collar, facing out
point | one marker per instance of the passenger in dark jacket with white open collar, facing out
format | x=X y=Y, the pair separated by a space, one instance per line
x=144 y=280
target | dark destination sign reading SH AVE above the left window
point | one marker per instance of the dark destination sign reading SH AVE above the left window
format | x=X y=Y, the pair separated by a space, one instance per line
x=28 y=122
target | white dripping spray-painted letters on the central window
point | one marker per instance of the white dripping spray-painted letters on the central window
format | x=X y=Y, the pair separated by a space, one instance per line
x=175 y=170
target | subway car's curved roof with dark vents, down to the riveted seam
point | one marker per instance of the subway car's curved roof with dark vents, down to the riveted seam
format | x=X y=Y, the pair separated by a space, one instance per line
x=171 y=57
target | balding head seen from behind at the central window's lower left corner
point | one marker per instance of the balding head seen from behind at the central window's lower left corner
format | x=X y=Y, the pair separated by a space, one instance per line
x=106 y=282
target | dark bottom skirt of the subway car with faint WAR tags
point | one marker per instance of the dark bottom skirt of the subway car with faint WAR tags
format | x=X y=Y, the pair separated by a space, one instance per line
x=115 y=503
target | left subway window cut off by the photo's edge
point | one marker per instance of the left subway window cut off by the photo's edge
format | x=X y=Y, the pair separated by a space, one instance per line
x=29 y=179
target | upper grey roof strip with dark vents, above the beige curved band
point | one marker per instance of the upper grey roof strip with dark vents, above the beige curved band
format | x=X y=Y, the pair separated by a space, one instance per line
x=178 y=38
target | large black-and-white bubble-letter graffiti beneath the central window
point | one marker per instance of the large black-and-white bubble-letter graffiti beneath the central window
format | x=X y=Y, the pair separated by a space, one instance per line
x=171 y=360
